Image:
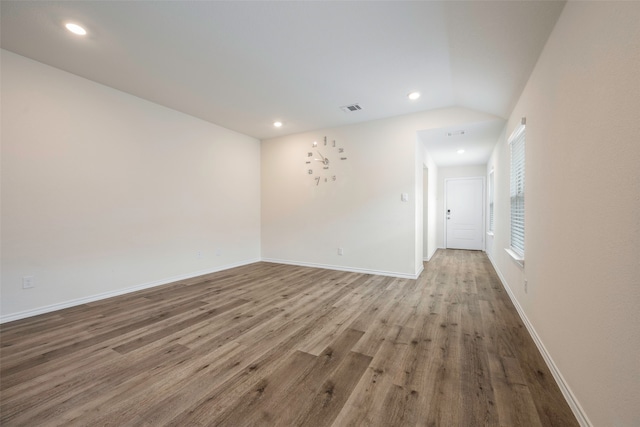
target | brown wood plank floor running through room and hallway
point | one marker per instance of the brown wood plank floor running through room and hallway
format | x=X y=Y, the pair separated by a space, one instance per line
x=278 y=345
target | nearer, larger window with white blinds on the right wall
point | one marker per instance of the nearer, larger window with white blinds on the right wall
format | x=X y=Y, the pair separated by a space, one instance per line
x=517 y=189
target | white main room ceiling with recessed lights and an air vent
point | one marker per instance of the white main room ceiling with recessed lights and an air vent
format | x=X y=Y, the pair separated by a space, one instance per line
x=244 y=65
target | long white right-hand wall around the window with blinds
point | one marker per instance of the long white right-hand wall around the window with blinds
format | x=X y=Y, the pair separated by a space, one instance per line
x=582 y=262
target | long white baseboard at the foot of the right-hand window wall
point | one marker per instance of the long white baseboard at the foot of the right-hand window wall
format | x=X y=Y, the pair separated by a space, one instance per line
x=575 y=406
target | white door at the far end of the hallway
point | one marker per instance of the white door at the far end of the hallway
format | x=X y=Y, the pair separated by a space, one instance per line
x=464 y=213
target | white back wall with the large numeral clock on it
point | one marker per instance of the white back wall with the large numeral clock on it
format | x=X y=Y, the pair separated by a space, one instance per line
x=361 y=212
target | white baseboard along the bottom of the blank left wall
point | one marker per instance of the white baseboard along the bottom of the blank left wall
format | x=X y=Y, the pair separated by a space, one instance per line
x=92 y=298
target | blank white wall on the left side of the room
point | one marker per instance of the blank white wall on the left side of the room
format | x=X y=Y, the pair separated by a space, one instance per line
x=103 y=192
